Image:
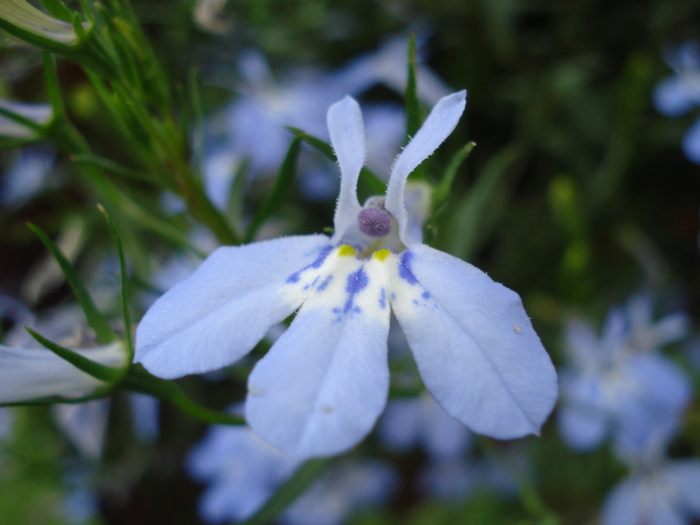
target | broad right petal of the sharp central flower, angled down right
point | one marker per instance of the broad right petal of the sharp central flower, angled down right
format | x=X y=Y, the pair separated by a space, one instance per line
x=474 y=344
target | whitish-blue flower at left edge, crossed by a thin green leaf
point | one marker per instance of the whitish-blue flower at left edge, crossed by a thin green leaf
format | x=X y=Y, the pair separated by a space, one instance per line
x=31 y=373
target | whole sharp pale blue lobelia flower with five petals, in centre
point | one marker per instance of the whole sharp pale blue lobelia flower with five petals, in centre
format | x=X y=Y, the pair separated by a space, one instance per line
x=323 y=384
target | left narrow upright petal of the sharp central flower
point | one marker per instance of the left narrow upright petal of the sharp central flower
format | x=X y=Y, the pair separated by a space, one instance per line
x=348 y=139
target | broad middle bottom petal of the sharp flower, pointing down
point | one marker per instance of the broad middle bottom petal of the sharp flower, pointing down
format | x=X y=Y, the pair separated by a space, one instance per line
x=322 y=385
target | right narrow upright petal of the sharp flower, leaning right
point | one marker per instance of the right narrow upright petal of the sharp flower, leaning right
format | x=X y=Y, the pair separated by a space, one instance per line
x=436 y=128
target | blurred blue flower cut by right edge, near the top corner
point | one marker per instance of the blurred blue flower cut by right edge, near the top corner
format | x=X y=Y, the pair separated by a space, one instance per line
x=678 y=94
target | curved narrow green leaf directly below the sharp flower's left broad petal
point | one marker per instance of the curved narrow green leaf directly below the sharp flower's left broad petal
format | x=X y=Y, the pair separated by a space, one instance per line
x=138 y=380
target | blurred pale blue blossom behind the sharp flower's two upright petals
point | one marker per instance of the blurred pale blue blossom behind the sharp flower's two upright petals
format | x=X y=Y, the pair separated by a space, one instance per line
x=252 y=127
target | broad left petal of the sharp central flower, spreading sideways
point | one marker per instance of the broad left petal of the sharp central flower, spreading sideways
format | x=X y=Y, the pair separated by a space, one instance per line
x=224 y=308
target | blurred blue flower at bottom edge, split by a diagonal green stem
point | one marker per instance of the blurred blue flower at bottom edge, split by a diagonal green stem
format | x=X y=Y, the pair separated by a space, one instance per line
x=241 y=472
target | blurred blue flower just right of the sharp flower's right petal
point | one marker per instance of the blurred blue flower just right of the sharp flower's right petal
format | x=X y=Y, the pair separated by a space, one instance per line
x=619 y=384
